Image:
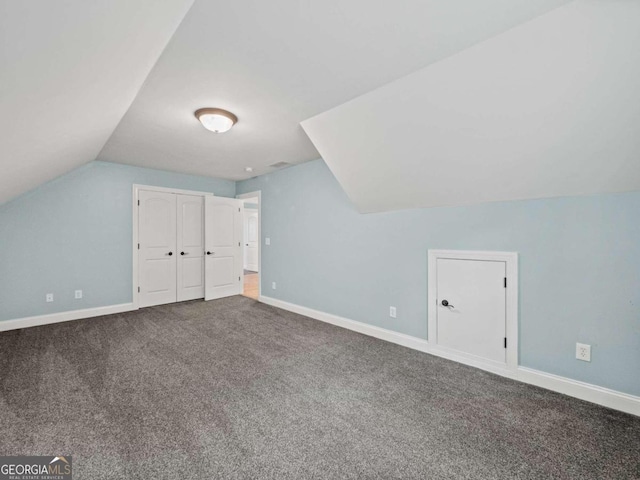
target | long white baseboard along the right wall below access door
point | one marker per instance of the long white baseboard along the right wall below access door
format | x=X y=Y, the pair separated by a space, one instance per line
x=574 y=388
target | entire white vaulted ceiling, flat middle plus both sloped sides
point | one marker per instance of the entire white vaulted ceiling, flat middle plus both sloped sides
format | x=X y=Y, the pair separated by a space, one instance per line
x=119 y=81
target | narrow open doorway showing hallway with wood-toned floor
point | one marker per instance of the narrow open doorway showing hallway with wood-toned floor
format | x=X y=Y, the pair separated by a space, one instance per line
x=251 y=244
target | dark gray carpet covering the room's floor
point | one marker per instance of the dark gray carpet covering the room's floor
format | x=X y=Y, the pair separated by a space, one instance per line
x=238 y=389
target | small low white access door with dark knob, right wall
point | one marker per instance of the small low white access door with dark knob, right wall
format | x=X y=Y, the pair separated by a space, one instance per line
x=471 y=307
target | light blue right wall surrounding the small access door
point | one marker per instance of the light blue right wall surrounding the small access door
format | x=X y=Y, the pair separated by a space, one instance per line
x=579 y=266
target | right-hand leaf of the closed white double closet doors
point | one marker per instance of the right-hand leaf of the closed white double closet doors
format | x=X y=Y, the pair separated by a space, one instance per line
x=190 y=247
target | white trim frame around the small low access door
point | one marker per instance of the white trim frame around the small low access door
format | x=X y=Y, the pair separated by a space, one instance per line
x=511 y=310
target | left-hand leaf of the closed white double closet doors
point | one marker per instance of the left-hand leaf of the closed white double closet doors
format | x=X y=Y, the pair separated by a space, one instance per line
x=157 y=255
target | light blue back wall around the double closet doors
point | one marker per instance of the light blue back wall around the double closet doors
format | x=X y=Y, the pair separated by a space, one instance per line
x=76 y=233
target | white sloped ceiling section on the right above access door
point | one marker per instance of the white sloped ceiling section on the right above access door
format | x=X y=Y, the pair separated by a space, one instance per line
x=548 y=108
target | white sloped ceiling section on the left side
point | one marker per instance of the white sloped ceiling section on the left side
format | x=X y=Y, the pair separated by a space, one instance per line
x=69 y=71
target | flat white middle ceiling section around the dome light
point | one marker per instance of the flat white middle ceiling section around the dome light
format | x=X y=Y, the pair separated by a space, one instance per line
x=277 y=63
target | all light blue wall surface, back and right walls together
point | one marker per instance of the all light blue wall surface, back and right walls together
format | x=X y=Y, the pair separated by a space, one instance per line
x=579 y=258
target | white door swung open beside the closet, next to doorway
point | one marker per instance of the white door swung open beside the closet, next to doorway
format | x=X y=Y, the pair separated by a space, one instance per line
x=223 y=237
